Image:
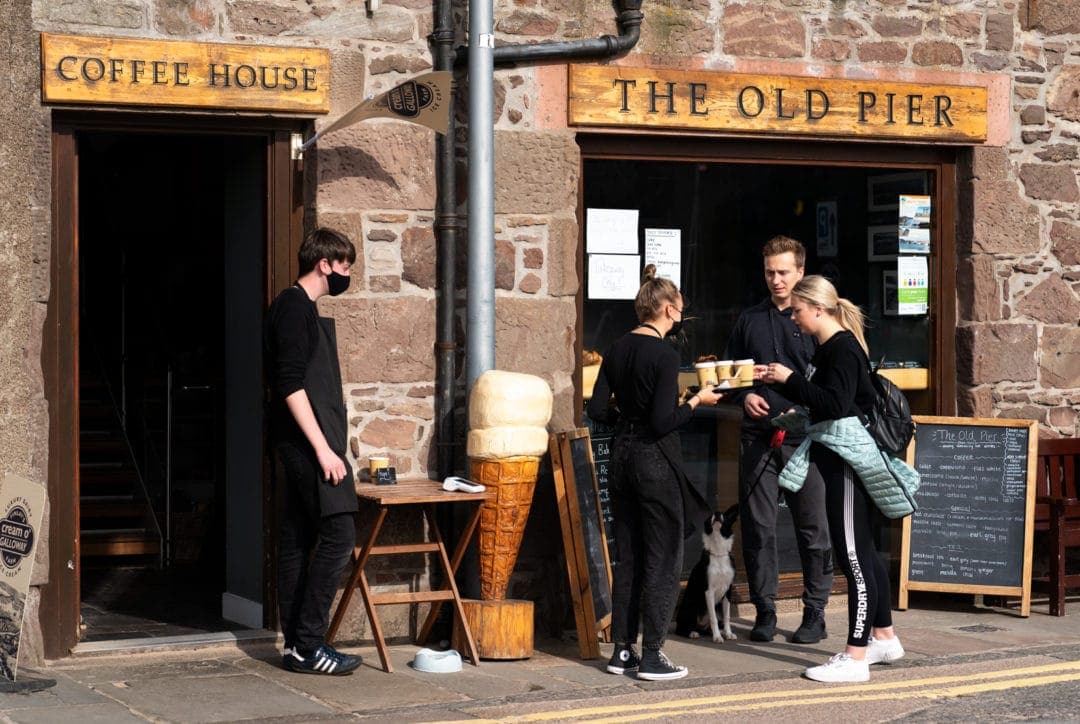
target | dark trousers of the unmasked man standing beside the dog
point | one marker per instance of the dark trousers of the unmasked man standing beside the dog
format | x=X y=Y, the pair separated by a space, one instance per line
x=759 y=521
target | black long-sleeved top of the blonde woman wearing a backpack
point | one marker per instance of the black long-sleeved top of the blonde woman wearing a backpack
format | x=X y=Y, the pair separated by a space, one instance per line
x=838 y=382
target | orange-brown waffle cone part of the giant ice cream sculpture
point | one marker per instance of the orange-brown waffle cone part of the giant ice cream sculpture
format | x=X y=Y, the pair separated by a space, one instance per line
x=503 y=520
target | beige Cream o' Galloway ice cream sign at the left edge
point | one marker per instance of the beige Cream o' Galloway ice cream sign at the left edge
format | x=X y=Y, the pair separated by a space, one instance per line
x=22 y=511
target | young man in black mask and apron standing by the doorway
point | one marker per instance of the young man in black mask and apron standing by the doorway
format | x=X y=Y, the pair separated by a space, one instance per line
x=318 y=532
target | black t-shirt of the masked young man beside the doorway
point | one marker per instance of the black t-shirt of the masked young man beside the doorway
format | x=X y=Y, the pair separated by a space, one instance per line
x=292 y=334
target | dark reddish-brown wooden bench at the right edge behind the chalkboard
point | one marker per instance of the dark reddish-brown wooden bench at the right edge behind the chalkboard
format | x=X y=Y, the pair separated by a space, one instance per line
x=1058 y=516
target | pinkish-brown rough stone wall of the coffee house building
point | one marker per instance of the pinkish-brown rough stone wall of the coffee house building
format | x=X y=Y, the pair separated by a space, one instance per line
x=1019 y=237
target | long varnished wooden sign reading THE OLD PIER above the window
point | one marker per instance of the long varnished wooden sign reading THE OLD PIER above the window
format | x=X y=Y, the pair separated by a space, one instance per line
x=775 y=105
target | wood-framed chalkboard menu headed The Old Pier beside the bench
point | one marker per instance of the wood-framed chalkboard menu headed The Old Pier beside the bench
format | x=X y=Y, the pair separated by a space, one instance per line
x=974 y=529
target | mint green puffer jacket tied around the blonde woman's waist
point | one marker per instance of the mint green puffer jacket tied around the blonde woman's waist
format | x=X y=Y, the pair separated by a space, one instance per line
x=890 y=482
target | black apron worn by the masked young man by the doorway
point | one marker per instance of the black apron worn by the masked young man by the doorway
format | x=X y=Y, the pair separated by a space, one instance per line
x=323 y=386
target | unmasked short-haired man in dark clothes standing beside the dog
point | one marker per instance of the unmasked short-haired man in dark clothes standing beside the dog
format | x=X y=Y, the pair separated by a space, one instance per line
x=766 y=333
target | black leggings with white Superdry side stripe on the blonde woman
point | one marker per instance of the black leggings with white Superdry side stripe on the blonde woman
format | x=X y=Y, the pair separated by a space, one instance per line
x=854 y=526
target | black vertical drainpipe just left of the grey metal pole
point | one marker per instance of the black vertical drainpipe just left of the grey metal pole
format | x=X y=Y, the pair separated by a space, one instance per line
x=448 y=225
